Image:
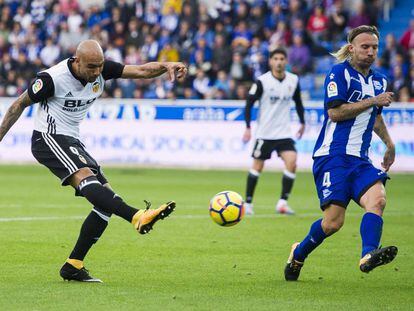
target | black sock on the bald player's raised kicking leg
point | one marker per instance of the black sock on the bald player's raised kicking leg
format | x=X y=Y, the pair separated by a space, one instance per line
x=105 y=198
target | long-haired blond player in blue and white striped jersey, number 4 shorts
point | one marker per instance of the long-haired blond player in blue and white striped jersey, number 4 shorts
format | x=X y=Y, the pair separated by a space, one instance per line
x=354 y=98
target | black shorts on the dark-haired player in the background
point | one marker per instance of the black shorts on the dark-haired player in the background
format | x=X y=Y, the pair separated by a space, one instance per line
x=263 y=148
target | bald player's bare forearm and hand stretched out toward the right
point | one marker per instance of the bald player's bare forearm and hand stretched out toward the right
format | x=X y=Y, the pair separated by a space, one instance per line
x=176 y=70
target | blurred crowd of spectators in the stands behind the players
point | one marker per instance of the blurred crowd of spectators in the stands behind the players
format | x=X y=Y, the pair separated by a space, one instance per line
x=224 y=42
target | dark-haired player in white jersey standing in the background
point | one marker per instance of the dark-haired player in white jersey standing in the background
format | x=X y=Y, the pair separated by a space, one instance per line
x=274 y=90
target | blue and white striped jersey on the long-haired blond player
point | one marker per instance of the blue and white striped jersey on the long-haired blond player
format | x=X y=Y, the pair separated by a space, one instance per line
x=344 y=84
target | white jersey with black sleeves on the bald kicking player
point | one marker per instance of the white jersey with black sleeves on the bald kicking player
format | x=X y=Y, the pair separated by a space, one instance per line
x=65 y=99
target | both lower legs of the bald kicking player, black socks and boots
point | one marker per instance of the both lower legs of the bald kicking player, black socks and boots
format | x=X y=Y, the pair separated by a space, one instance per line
x=106 y=203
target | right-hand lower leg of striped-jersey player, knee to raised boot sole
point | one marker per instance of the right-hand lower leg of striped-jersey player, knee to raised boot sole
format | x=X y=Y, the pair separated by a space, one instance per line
x=373 y=201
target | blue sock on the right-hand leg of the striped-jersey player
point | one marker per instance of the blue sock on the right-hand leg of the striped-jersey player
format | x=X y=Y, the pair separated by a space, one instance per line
x=371 y=230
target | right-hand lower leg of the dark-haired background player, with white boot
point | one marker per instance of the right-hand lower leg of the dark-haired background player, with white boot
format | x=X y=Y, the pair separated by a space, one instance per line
x=289 y=174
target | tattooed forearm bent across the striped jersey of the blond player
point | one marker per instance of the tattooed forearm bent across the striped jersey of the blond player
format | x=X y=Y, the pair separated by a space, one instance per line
x=343 y=111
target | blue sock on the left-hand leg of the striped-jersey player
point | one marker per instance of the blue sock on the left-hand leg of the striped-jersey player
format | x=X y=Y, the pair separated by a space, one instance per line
x=314 y=238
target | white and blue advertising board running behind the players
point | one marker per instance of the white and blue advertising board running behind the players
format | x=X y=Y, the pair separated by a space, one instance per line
x=192 y=134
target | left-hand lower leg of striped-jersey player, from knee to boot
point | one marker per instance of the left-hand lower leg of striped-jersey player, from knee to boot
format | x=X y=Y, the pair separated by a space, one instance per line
x=332 y=221
